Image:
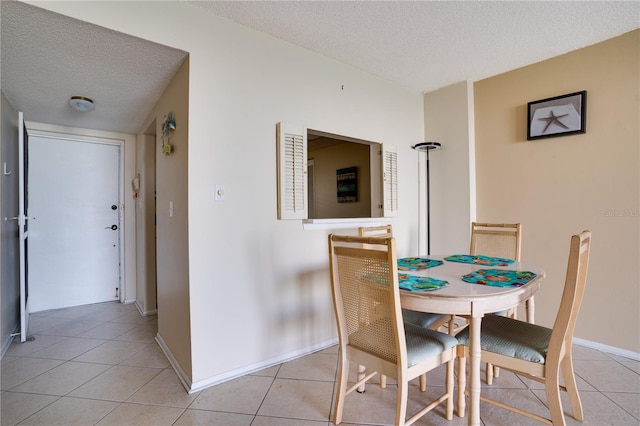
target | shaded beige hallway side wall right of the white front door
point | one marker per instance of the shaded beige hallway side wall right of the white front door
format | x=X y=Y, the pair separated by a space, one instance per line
x=172 y=229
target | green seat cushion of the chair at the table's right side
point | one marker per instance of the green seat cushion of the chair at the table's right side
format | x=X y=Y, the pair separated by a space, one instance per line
x=513 y=338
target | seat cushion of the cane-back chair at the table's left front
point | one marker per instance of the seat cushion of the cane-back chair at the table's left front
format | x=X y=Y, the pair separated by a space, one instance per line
x=423 y=343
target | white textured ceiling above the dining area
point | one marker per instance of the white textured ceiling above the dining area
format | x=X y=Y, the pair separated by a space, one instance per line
x=425 y=45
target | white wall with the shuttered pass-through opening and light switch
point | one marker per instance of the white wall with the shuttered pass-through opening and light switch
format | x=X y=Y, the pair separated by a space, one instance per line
x=259 y=287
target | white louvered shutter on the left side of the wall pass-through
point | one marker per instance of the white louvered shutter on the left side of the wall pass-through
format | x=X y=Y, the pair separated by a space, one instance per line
x=292 y=171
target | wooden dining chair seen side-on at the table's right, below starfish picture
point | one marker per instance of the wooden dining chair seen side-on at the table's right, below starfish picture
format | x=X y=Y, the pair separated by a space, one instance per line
x=537 y=352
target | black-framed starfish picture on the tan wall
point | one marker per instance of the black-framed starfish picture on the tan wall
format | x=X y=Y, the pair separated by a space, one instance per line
x=559 y=116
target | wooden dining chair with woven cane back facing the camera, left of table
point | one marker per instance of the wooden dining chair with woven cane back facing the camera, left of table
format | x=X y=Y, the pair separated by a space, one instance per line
x=371 y=331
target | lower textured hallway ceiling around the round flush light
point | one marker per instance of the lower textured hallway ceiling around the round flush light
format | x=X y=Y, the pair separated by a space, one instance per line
x=47 y=58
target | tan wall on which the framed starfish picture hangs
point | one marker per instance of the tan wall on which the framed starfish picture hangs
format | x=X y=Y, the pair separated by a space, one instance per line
x=557 y=187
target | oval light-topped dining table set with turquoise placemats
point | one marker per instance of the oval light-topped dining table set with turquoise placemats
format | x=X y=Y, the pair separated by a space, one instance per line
x=472 y=301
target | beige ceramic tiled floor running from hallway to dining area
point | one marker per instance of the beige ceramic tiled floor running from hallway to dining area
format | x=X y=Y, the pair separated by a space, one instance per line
x=99 y=365
